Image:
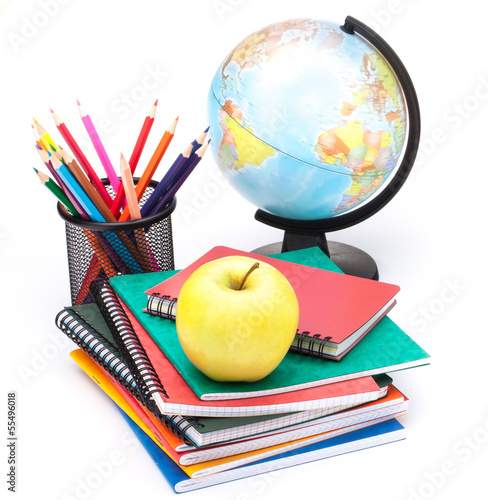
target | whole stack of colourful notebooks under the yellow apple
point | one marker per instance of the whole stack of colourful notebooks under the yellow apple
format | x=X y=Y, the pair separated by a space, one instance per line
x=330 y=395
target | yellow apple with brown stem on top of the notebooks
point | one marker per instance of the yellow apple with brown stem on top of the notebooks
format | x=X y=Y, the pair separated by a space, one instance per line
x=236 y=318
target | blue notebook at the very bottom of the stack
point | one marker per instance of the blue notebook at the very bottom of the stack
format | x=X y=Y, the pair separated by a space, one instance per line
x=368 y=437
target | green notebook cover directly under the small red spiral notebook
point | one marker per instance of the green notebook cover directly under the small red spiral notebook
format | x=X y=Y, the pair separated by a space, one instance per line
x=386 y=348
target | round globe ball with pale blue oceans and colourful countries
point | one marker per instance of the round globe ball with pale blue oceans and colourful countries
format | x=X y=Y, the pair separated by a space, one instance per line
x=308 y=122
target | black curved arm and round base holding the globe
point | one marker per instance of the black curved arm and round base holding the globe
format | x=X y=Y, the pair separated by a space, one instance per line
x=301 y=234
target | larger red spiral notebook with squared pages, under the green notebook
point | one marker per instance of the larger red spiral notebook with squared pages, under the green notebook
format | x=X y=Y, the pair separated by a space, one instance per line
x=173 y=396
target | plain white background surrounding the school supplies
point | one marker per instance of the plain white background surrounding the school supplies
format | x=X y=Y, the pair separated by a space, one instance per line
x=429 y=239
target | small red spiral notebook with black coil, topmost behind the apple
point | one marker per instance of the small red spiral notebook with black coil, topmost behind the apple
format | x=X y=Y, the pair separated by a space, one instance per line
x=336 y=310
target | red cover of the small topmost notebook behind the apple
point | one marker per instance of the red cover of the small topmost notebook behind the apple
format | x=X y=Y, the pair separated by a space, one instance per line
x=332 y=305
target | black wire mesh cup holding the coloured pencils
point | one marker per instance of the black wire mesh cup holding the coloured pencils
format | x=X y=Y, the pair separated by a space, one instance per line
x=103 y=250
